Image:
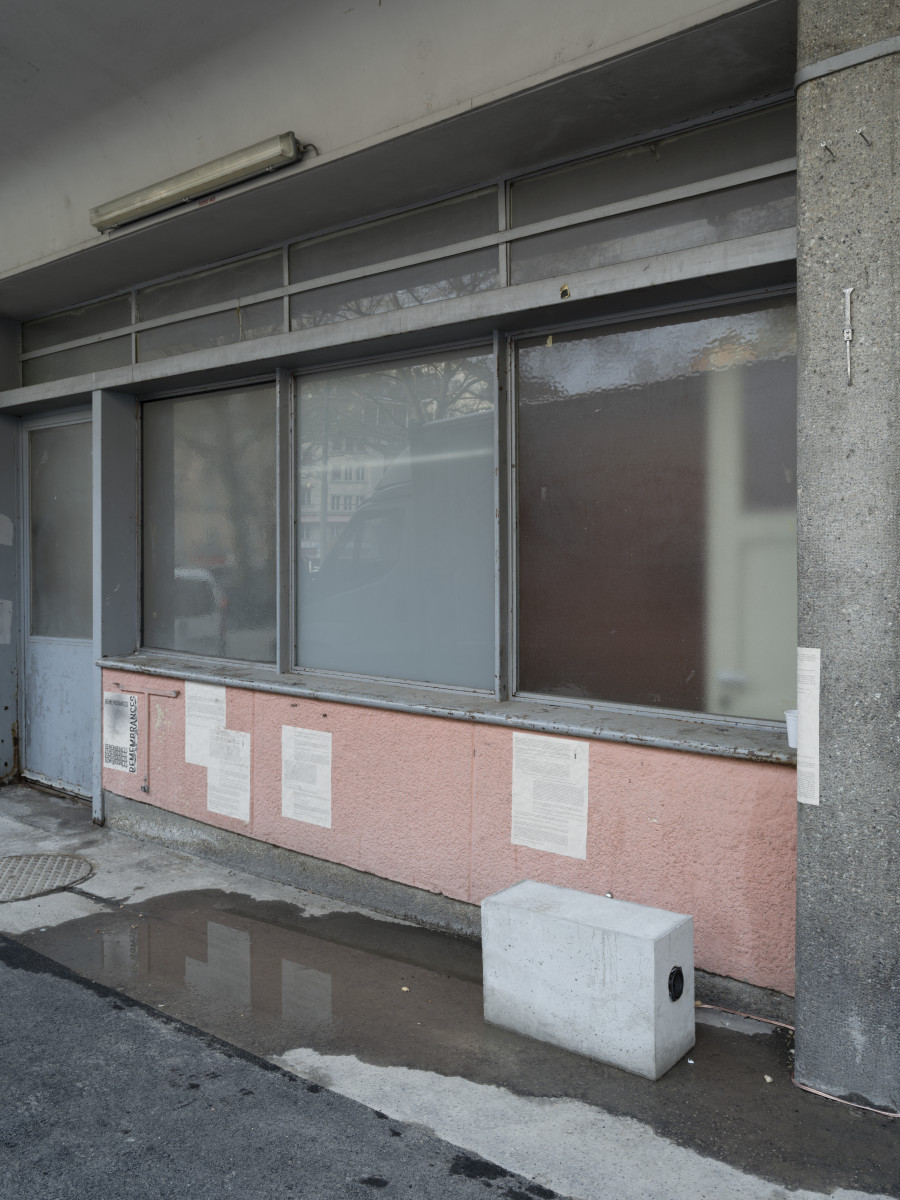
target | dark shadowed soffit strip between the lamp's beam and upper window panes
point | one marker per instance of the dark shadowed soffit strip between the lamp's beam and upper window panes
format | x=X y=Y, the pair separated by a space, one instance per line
x=733 y=62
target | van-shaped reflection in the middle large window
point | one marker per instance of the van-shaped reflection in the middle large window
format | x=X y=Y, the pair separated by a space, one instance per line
x=399 y=581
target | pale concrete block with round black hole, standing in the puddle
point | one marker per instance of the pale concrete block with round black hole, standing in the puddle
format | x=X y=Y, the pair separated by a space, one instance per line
x=590 y=974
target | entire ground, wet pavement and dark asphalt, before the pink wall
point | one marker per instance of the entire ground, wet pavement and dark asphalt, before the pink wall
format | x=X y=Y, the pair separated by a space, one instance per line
x=170 y=1027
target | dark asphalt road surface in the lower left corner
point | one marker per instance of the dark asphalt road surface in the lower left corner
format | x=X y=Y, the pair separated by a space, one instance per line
x=109 y=1099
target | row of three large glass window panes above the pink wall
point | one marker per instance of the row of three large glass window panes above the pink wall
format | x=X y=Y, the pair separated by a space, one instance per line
x=656 y=517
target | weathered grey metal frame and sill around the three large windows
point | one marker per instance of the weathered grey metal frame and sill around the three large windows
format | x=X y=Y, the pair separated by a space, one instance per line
x=505 y=705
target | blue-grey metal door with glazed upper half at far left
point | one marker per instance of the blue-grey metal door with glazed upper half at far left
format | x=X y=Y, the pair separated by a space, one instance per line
x=58 y=575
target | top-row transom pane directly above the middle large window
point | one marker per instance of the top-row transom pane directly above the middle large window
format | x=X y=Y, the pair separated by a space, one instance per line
x=411 y=233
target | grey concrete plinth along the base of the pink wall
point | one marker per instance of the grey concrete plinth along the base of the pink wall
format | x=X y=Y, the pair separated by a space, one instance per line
x=346 y=884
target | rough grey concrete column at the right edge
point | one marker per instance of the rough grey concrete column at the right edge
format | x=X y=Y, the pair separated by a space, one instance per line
x=849 y=478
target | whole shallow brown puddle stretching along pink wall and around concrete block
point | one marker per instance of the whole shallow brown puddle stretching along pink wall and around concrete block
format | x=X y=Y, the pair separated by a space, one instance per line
x=269 y=979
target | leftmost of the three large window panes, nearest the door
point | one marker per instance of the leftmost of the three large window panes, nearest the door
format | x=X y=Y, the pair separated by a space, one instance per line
x=209 y=525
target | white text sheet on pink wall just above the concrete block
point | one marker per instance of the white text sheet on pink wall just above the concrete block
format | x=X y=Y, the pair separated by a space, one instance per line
x=550 y=794
